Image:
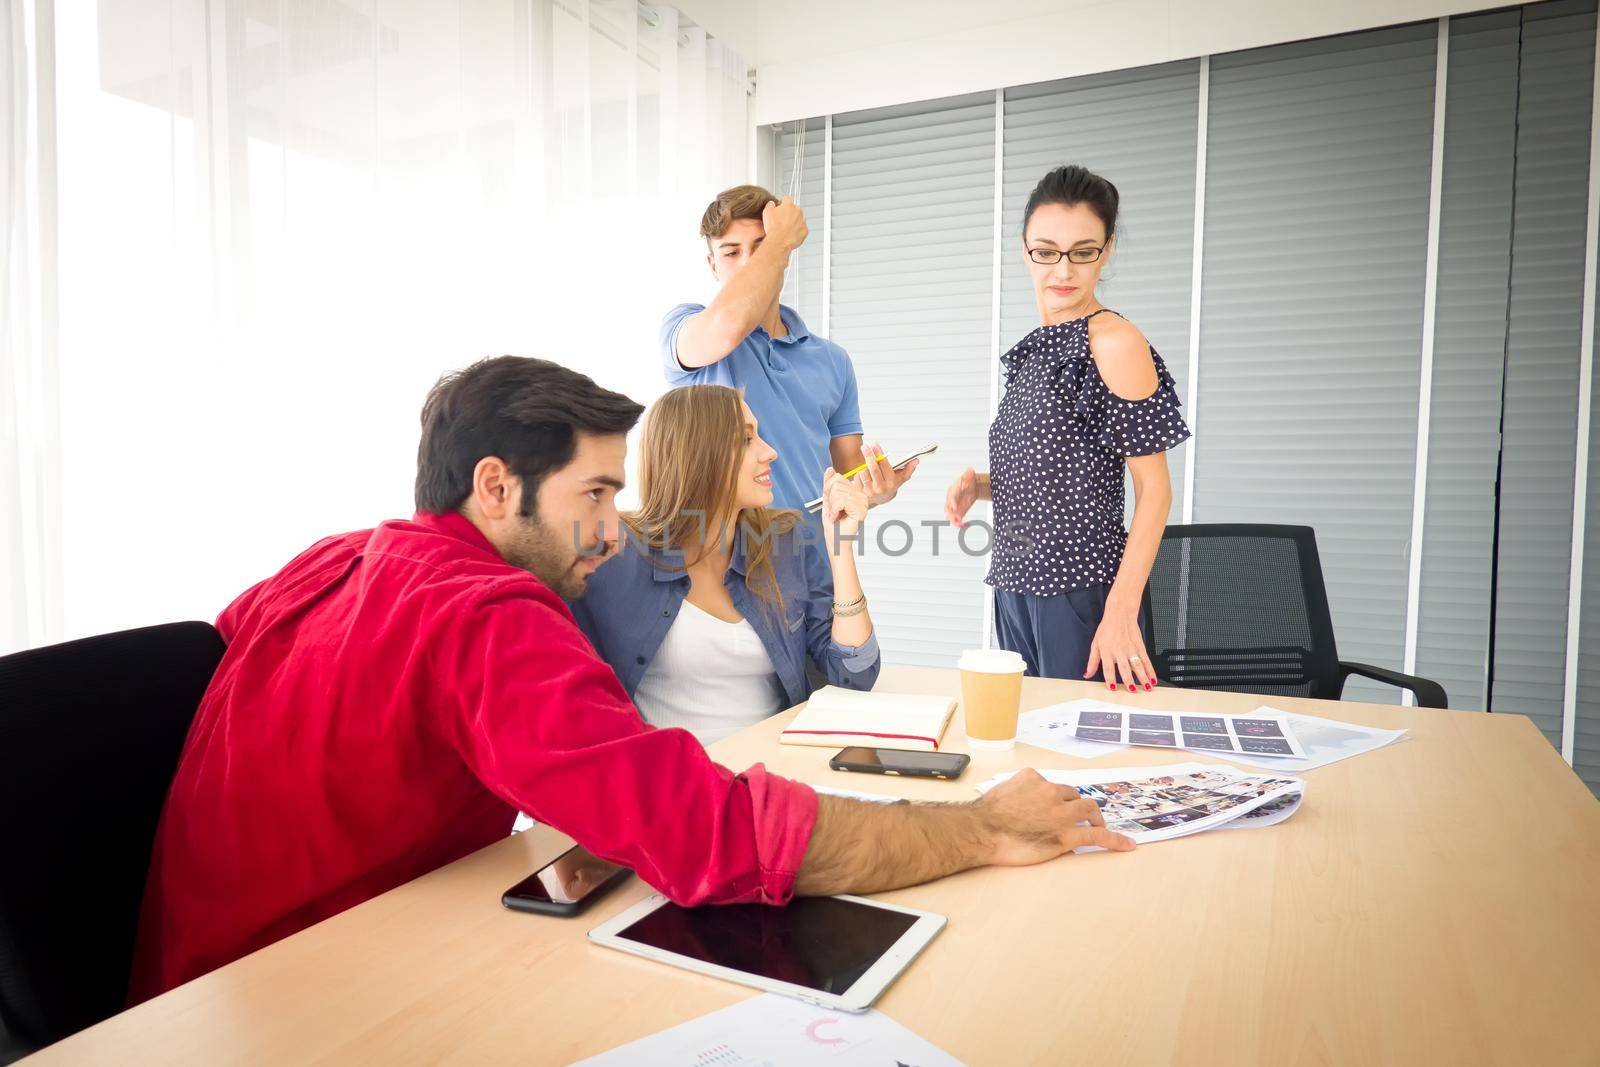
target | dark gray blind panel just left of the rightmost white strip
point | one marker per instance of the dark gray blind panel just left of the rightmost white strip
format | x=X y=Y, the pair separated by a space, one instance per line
x=1542 y=367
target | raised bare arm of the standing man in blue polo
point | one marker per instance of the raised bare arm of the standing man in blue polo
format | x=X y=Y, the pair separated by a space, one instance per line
x=742 y=305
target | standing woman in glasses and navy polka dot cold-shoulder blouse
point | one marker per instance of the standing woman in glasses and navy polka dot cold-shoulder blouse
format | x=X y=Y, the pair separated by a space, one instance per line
x=1086 y=394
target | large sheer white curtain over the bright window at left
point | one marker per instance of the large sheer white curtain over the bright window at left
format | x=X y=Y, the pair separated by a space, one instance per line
x=282 y=220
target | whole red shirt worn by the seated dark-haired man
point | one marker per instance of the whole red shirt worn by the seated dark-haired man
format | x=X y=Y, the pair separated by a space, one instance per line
x=386 y=705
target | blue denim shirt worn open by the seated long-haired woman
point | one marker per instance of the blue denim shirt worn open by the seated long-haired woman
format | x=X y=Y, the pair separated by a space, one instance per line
x=633 y=604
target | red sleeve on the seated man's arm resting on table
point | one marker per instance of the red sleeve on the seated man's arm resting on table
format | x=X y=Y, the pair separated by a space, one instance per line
x=546 y=725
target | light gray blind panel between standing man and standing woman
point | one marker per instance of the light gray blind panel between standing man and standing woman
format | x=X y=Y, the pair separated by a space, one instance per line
x=911 y=302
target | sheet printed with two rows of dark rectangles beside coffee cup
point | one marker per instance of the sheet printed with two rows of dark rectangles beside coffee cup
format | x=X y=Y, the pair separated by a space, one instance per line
x=1220 y=735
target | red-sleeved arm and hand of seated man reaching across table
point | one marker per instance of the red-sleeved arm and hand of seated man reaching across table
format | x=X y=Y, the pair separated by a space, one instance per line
x=545 y=724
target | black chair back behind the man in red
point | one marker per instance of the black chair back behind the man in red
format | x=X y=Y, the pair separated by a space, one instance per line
x=90 y=737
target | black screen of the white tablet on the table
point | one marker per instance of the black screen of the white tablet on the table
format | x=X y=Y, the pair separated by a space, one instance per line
x=820 y=943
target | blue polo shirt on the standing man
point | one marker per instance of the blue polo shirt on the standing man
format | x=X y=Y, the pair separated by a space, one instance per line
x=801 y=388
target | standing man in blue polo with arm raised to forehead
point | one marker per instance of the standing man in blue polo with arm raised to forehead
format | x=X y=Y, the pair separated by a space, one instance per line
x=801 y=386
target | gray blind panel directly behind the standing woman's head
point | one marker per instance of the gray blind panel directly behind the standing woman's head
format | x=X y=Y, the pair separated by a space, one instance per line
x=1138 y=130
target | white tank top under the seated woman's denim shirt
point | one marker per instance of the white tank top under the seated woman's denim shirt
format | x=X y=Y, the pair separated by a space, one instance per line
x=711 y=677
